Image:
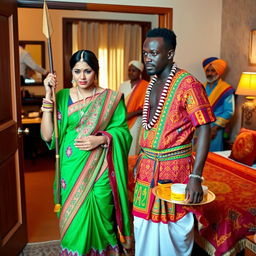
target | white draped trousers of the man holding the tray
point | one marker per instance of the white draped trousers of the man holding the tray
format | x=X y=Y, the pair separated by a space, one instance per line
x=159 y=239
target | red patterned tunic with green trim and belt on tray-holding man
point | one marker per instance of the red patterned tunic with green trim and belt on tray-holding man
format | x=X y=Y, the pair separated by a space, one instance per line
x=166 y=147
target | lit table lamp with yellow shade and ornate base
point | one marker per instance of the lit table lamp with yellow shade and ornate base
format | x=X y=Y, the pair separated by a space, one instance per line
x=247 y=87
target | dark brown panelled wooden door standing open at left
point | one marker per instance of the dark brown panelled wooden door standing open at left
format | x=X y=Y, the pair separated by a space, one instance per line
x=13 y=233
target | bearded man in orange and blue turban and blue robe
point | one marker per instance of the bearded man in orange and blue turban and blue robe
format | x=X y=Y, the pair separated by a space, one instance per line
x=221 y=97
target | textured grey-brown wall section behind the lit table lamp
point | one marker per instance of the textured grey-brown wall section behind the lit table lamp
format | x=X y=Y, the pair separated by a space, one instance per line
x=238 y=19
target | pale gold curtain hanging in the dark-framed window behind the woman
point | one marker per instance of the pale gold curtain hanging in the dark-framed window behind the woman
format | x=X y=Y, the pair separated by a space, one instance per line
x=114 y=44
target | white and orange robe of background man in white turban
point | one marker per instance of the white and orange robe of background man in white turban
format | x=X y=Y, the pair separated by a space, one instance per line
x=134 y=99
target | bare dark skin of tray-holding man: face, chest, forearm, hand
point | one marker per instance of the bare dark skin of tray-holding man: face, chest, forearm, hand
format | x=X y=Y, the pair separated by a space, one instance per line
x=158 y=59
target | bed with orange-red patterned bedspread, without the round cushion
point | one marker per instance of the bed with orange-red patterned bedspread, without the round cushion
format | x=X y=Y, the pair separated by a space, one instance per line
x=223 y=224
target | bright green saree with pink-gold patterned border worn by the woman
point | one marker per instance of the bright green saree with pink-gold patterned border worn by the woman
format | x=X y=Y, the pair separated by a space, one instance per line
x=94 y=214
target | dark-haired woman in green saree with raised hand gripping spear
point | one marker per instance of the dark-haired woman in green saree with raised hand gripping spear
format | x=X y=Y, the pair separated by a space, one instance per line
x=94 y=142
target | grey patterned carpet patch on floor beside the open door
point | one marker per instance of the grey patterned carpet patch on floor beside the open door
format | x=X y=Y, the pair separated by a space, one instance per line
x=49 y=248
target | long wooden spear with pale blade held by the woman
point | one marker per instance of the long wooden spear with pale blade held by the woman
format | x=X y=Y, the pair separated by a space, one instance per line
x=47 y=31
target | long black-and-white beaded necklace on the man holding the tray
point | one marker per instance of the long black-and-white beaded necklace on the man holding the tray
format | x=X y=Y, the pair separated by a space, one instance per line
x=146 y=106
